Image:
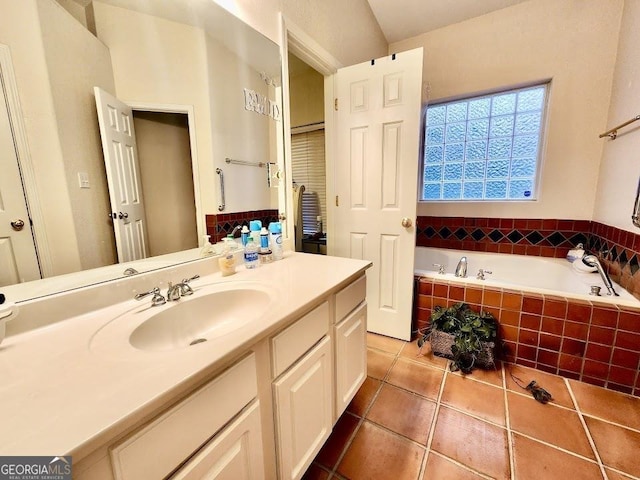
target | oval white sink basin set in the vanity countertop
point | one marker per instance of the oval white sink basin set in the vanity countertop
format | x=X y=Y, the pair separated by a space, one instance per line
x=194 y=319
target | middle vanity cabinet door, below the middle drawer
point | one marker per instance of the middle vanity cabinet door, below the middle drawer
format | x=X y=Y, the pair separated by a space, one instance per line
x=303 y=399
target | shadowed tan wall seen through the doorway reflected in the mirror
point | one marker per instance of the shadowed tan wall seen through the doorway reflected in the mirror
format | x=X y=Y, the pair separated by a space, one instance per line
x=167 y=181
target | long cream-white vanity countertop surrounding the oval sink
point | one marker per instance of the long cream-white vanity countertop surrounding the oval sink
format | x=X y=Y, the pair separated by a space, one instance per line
x=64 y=391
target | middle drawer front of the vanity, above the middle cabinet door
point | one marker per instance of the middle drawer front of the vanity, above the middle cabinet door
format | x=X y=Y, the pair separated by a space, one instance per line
x=293 y=342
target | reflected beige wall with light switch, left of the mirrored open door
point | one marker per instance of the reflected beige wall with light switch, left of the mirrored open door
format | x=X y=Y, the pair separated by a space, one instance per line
x=77 y=62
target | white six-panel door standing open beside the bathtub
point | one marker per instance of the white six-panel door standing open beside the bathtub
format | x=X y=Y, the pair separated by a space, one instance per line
x=377 y=163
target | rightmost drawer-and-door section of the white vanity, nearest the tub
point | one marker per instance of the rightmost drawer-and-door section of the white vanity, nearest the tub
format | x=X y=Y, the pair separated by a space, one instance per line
x=350 y=334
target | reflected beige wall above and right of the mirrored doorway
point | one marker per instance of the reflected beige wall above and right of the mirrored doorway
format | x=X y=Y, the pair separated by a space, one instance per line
x=162 y=62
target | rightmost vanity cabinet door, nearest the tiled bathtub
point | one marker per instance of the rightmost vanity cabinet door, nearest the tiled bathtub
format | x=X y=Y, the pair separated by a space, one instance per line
x=351 y=357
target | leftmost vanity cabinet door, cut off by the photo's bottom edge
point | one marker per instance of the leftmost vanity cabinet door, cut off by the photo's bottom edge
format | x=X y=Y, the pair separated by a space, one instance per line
x=233 y=454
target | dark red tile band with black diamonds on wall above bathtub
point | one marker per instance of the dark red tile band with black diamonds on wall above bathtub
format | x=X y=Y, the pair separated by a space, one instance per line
x=540 y=237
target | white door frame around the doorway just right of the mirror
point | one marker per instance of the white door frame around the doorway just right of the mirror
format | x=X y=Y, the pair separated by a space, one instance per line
x=298 y=42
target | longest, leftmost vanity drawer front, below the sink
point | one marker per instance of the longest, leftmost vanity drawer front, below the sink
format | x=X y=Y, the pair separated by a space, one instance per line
x=180 y=431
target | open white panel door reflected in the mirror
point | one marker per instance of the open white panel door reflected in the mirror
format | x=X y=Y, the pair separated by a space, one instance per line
x=123 y=176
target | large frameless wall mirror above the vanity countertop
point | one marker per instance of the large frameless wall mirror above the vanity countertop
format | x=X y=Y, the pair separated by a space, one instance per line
x=206 y=98
